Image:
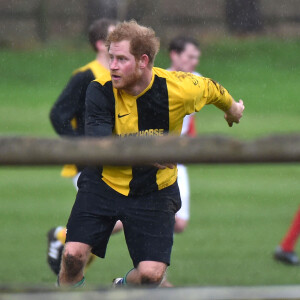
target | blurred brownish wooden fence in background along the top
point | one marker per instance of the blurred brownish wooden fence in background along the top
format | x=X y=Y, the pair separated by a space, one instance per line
x=42 y=20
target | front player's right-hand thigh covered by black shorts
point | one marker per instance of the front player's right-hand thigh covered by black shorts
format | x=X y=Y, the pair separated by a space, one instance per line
x=149 y=225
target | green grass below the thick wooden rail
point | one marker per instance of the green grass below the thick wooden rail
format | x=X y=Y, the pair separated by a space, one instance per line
x=238 y=215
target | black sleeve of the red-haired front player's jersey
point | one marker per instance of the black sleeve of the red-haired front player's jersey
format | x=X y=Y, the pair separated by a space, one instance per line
x=99 y=110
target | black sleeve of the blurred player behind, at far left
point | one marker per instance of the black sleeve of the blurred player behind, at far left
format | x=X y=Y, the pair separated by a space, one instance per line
x=69 y=103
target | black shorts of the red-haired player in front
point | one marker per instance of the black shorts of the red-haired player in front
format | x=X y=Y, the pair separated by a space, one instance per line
x=148 y=220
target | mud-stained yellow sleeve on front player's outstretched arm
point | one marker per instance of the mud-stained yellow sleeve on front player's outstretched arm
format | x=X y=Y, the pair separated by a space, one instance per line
x=200 y=91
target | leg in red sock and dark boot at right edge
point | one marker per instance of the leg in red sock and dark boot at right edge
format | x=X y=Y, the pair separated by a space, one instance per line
x=285 y=251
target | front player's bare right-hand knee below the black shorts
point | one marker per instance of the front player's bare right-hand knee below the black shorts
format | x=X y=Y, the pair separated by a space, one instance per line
x=152 y=273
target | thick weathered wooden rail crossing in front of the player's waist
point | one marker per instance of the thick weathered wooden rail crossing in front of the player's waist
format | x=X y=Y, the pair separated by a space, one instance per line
x=30 y=151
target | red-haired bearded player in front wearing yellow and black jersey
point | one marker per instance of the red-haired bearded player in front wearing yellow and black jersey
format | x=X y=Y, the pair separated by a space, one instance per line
x=136 y=100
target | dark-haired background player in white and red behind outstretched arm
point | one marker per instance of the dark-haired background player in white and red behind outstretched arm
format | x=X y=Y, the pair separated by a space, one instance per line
x=184 y=54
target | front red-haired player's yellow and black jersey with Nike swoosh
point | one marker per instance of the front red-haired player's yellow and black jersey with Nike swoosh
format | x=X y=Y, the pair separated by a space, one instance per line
x=157 y=111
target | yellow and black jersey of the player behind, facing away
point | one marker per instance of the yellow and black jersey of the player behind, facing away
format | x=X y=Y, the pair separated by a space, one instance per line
x=68 y=112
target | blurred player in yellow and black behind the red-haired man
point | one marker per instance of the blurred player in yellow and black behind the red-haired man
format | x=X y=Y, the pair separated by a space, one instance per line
x=67 y=117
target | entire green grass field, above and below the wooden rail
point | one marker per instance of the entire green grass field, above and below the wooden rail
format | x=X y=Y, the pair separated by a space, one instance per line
x=238 y=213
